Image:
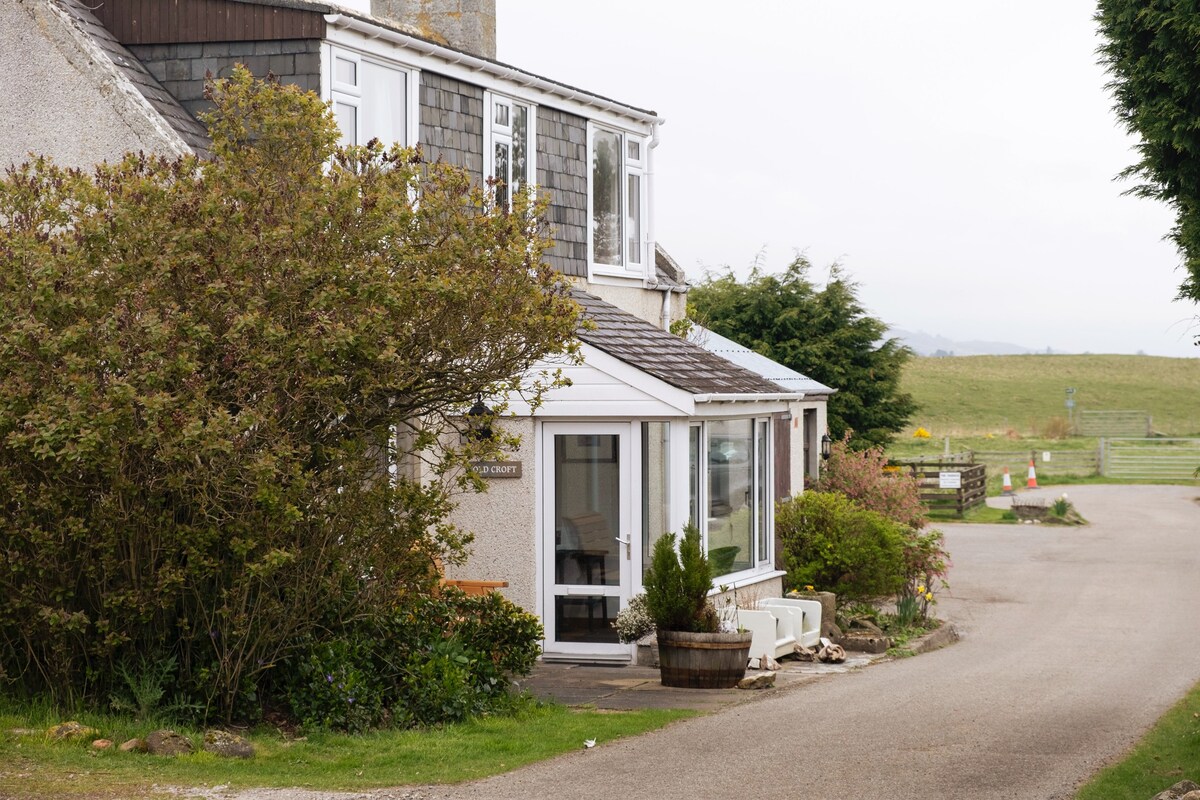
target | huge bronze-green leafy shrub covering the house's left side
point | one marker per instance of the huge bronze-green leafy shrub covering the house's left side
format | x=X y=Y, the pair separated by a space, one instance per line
x=208 y=368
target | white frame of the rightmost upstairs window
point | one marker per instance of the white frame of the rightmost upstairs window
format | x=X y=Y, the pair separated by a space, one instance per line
x=634 y=261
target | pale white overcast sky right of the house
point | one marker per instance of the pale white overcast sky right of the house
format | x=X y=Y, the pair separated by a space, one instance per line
x=957 y=158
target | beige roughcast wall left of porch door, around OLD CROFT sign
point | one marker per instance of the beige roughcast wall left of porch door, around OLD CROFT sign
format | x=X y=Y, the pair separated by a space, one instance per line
x=503 y=522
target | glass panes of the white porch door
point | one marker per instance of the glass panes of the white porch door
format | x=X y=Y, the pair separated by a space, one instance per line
x=587 y=514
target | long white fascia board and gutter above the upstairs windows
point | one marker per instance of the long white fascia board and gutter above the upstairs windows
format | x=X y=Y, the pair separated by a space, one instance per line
x=352 y=32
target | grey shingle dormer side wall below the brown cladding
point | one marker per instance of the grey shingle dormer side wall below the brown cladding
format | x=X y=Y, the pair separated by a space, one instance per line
x=181 y=69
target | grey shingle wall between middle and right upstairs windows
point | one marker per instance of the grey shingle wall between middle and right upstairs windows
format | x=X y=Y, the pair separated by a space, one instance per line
x=563 y=173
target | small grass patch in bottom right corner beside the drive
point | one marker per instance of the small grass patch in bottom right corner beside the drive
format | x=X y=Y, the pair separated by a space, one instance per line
x=1169 y=754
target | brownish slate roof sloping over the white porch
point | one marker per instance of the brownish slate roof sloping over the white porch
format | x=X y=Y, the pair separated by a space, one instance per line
x=665 y=356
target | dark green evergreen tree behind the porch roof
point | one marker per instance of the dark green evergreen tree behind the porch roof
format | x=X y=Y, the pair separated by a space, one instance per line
x=824 y=333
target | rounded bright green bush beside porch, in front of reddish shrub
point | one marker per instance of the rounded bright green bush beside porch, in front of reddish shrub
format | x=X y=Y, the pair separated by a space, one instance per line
x=835 y=545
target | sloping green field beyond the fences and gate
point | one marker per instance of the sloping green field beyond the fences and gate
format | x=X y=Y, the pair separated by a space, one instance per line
x=1023 y=396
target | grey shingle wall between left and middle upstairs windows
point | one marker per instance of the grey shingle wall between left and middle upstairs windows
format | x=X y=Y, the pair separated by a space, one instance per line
x=453 y=123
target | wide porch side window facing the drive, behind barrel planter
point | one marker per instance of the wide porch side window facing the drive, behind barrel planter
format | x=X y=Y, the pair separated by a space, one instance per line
x=729 y=464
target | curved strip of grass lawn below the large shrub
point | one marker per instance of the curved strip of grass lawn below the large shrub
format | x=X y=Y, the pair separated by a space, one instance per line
x=32 y=767
